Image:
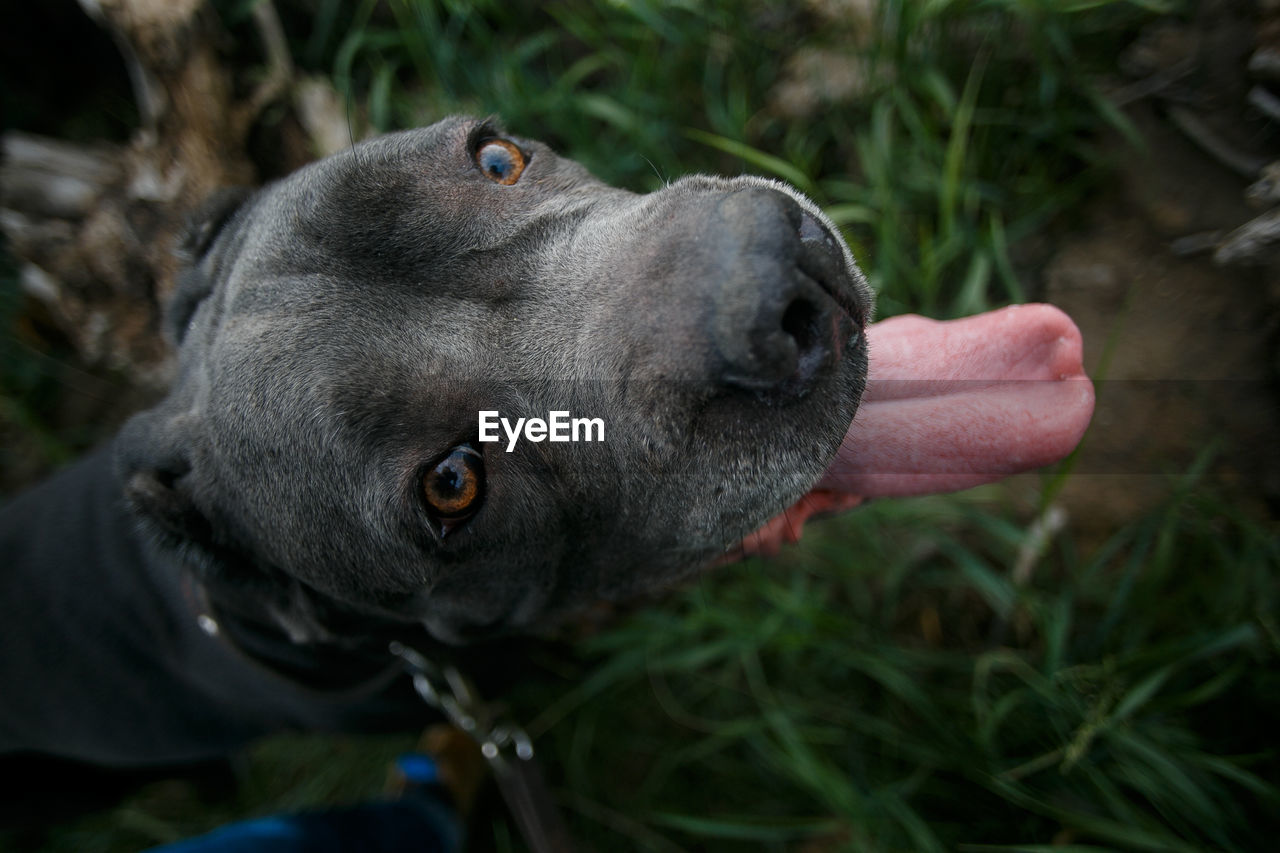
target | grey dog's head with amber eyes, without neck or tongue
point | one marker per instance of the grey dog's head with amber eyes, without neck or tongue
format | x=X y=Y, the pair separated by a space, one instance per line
x=341 y=332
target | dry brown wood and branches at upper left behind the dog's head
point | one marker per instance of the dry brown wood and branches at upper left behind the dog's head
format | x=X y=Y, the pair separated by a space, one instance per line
x=94 y=226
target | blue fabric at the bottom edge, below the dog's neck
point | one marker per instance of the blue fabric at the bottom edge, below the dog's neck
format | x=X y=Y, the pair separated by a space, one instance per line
x=420 y=823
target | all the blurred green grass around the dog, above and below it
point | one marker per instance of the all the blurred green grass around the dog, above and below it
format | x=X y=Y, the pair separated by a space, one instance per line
x=935 y=674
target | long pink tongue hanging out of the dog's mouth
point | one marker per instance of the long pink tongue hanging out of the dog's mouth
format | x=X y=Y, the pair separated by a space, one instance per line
x=953 y=405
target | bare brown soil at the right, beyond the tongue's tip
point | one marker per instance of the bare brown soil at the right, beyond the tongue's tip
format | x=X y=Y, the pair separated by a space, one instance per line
x=1185 y=349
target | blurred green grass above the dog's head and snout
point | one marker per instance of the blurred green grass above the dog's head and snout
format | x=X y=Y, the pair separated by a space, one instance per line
x=973 y=126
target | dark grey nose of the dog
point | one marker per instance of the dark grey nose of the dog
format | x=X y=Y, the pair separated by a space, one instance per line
x=772 y=322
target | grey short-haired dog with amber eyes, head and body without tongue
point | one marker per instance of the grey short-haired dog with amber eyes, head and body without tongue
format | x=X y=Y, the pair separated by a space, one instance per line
x=314 y=483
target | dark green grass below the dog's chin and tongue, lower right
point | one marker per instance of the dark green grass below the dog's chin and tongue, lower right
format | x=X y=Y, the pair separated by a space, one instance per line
x=893 y=686
